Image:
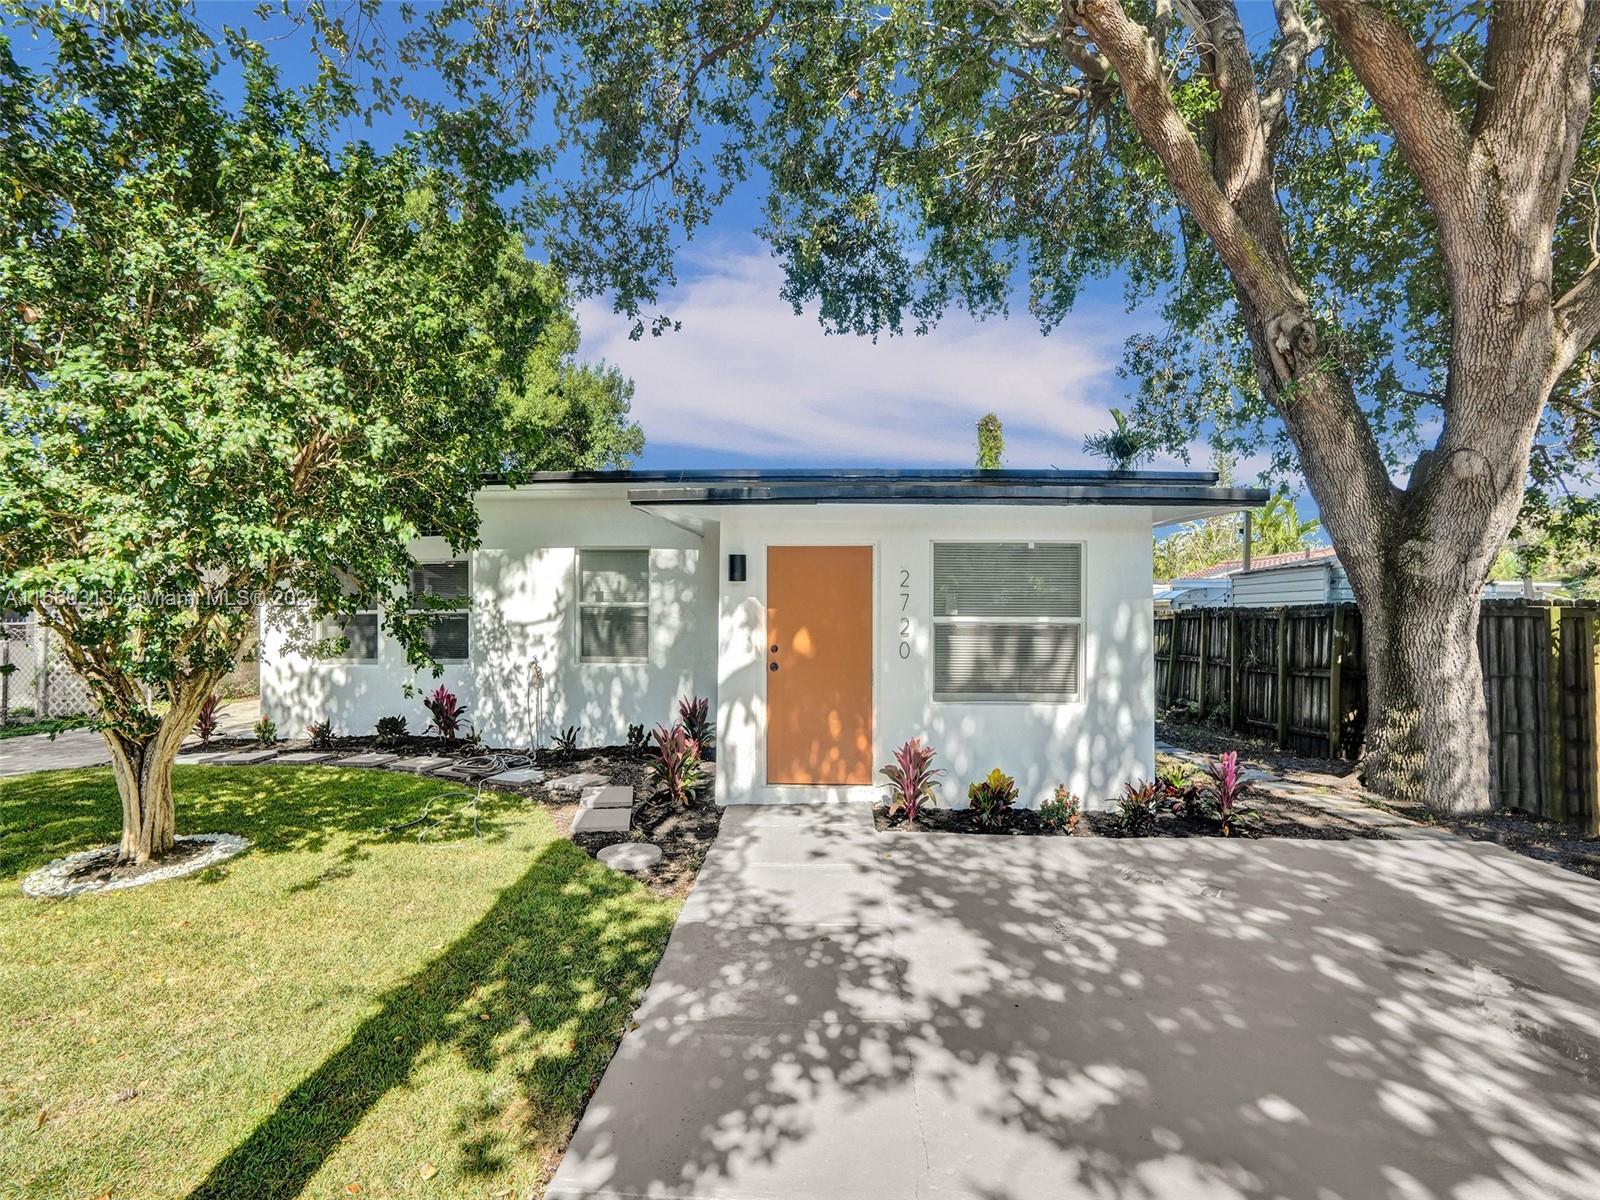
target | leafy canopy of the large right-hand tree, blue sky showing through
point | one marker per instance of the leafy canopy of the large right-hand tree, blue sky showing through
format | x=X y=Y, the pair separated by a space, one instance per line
x=921 y=154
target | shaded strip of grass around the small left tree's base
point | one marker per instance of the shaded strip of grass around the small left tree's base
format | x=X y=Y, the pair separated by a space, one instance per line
x=279 y=809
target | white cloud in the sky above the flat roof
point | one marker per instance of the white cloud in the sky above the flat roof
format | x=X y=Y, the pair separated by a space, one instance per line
x=745 y=378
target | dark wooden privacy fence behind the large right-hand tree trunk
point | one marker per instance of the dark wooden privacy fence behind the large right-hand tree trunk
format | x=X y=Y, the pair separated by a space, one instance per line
x=1298 y=678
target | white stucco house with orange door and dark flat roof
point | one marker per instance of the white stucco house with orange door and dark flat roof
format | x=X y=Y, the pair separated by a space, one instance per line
x=828 y=615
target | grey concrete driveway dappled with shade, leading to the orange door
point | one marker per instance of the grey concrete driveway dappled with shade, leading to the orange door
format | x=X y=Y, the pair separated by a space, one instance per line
x=844 y=1015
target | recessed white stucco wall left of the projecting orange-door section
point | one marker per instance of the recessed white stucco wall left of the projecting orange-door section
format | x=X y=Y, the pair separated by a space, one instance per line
x=524 y=610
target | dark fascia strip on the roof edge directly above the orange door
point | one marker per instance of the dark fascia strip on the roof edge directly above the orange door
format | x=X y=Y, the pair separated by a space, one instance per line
x=1150 y=495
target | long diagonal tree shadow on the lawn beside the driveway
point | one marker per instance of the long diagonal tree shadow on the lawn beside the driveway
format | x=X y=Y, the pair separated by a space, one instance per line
x=548 y=977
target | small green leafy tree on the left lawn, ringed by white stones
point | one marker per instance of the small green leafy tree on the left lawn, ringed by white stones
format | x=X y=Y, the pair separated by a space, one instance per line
x=238 y=366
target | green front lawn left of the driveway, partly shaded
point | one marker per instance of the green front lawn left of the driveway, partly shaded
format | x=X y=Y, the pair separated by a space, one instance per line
x=338 y=1012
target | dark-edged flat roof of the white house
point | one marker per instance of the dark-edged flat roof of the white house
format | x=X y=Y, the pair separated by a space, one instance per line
x=895 y=486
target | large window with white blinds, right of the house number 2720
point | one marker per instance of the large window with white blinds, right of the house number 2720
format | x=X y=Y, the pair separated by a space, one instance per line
x=1007 y=620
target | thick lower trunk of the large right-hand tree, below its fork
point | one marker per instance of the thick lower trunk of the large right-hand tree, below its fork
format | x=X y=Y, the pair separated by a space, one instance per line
x=1428 y=727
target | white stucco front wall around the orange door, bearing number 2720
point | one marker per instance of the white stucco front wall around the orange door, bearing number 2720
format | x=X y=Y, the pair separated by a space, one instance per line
x=1094 y=745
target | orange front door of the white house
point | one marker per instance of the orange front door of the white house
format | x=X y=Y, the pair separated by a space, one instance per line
x=820 y=665
